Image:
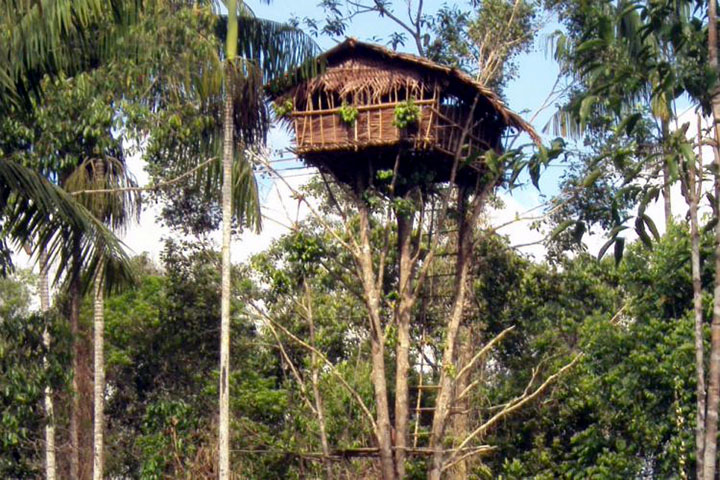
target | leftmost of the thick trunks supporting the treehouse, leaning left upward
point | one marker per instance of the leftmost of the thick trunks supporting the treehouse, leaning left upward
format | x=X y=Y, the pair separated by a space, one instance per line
x=372 y=299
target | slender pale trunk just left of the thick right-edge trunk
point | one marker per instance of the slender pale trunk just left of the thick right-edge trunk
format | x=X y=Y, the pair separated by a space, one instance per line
x=694 y=192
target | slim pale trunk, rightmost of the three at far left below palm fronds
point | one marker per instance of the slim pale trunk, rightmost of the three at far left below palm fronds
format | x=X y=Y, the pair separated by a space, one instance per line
x=99 y=400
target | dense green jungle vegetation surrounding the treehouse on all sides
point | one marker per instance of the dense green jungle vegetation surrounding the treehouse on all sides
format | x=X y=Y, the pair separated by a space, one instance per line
x=603 y=349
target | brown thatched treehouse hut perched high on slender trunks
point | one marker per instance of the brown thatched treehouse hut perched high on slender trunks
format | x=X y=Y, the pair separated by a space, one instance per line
x=370 y=109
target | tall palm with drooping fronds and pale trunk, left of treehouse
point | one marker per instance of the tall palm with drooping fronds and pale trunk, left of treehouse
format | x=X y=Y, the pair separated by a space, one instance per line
x=229 y=89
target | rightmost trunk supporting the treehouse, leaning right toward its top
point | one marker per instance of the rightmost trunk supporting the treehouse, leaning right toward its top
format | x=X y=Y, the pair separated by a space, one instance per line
x=468 y=220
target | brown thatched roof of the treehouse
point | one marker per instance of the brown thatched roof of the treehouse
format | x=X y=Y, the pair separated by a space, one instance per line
x=354 y=66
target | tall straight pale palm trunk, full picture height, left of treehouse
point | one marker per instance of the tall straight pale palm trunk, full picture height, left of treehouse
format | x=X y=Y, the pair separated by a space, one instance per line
x=224 y=421
